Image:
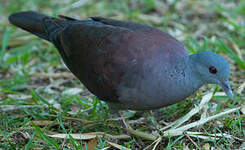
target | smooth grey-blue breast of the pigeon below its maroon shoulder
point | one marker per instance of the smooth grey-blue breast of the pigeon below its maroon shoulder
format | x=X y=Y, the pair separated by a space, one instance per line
x=152 y=85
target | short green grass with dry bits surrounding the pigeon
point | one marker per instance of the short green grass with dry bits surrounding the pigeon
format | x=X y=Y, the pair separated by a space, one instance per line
x=28 y=96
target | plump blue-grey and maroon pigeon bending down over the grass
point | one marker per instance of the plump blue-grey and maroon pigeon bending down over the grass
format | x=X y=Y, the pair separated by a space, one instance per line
x=126 y=64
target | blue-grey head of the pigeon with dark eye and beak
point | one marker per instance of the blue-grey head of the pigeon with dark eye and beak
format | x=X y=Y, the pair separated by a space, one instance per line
x=209 y=67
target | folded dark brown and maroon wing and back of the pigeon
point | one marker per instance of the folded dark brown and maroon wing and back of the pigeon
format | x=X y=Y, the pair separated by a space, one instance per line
x=100 y=53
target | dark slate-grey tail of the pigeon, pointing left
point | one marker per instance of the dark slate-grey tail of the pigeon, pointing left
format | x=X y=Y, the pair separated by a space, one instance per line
x=39 y=24
